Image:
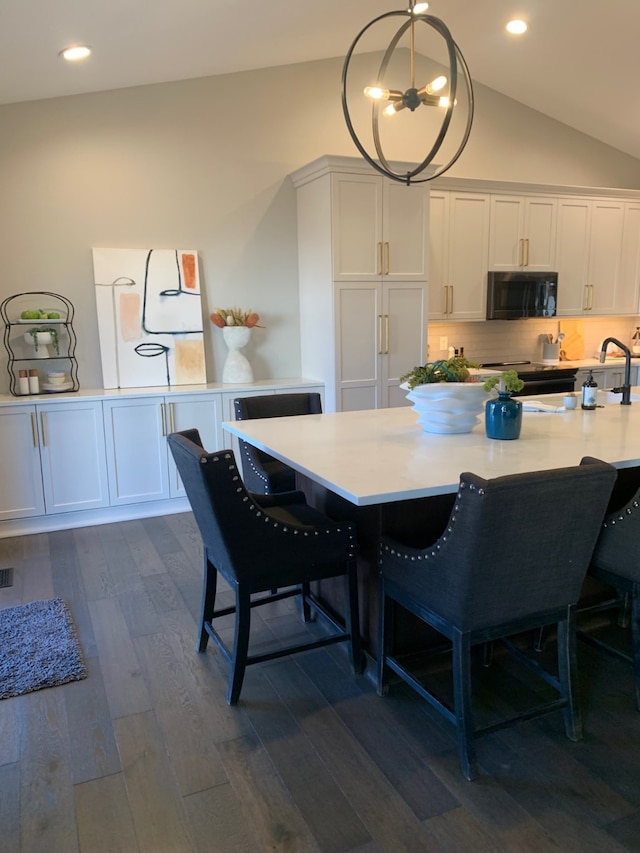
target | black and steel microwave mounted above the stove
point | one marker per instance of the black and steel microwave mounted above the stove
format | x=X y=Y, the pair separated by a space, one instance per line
x=517 y=295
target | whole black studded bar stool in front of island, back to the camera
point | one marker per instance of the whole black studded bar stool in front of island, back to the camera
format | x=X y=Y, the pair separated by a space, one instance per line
x=512 y=558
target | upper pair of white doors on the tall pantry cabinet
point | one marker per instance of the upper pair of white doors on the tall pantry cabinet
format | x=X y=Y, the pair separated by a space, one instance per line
x=378 y=228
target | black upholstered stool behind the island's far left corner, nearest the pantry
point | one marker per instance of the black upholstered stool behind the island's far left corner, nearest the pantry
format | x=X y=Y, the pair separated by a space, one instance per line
x=263 y=474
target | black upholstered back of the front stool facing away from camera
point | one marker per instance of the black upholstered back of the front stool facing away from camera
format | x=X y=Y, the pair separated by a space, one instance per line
x=518 y=544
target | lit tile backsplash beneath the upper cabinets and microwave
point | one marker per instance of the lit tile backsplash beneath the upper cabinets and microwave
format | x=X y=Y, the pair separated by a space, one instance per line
x=498 y=340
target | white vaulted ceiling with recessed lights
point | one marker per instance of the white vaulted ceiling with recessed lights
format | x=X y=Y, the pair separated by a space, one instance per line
x=578 y=63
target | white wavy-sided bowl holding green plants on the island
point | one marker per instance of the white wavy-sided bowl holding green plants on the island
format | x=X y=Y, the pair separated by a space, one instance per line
x=447 y=407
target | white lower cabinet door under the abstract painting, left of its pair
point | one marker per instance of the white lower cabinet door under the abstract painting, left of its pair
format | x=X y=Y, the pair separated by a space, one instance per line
x=136 y=449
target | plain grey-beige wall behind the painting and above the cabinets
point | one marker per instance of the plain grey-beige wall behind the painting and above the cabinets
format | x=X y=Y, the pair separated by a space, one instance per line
x=203 y=164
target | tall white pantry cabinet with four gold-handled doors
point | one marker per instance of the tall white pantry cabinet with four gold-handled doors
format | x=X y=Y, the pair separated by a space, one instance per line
x=362 y=250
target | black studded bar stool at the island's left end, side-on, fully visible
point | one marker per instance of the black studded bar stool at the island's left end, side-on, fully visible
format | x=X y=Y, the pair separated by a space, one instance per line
x=261 y=543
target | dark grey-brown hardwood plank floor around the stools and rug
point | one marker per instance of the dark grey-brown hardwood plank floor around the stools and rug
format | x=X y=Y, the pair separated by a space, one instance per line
x=144 y=755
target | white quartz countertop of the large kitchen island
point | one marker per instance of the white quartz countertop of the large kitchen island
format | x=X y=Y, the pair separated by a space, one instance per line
x=383 y=455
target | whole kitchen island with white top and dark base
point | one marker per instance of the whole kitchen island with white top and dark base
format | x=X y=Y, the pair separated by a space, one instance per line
x=379 y=469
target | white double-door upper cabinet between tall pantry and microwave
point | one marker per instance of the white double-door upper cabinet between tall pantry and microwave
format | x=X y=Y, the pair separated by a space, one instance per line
x=458 y=255
